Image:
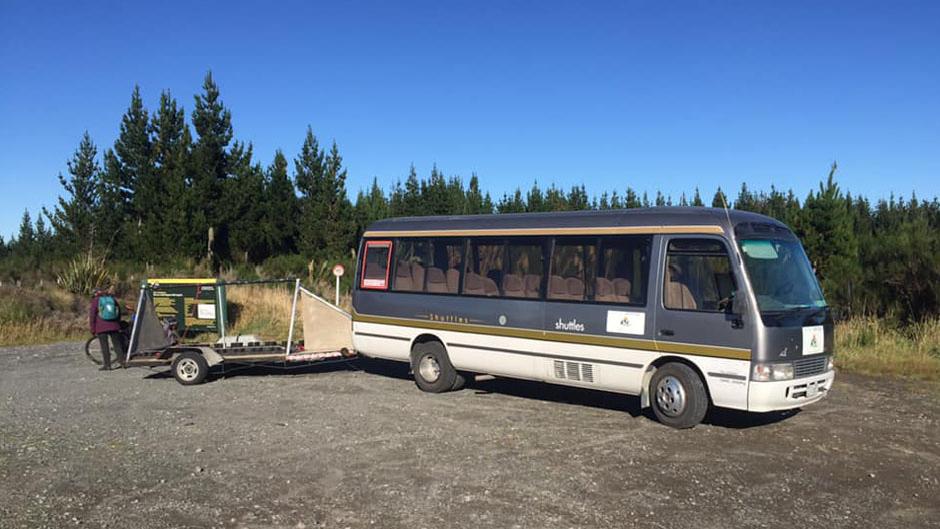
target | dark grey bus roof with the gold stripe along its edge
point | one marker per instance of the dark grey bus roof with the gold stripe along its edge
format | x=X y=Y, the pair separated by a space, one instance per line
x=637 y=220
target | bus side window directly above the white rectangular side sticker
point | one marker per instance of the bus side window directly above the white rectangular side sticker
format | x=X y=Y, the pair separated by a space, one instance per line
x=623 y=270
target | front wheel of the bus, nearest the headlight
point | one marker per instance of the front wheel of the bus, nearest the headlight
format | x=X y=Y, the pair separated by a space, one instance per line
x=678 y=396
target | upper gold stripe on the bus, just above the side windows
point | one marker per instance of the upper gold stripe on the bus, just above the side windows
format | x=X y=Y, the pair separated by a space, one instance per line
x=496 y=232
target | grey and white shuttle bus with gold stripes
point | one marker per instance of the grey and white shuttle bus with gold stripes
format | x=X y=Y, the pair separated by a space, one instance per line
x=685 y=307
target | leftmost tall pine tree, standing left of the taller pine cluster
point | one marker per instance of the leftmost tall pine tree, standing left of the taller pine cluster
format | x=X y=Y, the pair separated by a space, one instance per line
x=75 y=217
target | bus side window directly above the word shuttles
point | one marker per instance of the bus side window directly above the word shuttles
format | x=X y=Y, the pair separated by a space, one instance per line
x=573 y=269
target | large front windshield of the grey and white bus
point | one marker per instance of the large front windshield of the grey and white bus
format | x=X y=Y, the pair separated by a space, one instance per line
x=781 y=275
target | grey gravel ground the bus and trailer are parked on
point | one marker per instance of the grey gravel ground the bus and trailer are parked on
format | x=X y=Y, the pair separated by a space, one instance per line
x=334 y=446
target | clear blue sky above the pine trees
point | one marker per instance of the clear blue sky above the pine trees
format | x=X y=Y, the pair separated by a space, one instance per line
x=652 y=95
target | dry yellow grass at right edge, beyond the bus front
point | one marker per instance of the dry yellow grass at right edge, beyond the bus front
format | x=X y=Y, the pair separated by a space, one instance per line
x=875 y=347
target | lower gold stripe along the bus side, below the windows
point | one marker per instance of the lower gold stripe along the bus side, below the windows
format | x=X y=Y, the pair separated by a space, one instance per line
x=587 y=339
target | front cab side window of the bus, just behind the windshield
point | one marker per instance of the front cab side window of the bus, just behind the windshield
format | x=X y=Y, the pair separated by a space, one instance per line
x=698 y=275
